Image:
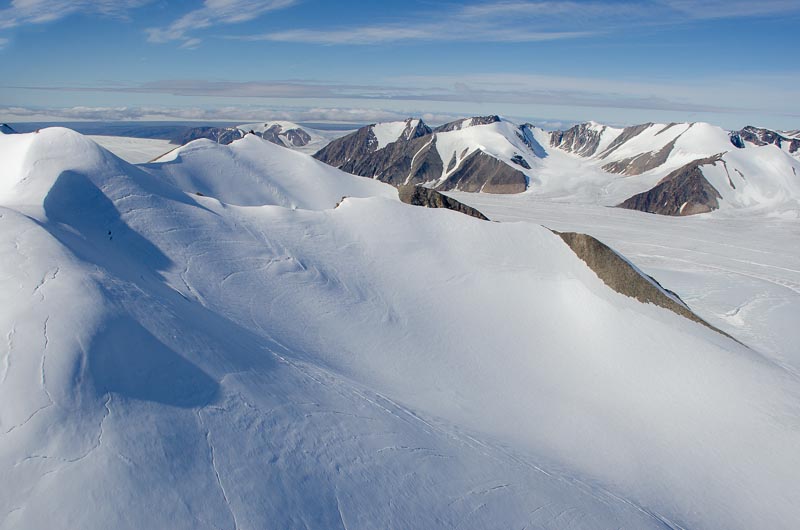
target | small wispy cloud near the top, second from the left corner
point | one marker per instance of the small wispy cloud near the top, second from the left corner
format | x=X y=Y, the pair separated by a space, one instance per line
x=213 y=13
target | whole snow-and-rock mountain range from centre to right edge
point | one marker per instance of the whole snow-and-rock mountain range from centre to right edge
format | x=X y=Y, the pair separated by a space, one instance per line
x=680 y=168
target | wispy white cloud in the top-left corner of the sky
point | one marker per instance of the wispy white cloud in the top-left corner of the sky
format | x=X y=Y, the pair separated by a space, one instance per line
x=22 y=12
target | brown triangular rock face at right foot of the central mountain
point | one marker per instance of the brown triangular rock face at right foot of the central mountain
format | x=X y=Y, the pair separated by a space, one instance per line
x=485 y=173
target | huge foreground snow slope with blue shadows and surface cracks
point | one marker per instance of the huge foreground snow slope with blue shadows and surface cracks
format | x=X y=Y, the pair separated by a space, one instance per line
x=177 y=360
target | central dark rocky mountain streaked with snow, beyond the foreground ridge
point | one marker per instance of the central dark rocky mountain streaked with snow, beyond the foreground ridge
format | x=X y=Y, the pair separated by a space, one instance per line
x=482 y=154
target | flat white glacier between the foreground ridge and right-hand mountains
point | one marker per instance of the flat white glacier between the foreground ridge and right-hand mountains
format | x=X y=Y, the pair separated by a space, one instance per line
x=737 y=269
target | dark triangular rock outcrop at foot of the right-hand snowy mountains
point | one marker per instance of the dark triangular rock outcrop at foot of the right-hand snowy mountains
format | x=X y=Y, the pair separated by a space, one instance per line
x=685 y=191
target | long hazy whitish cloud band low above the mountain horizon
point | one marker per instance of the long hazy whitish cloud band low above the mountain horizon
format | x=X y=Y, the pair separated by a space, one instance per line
x=698 y=94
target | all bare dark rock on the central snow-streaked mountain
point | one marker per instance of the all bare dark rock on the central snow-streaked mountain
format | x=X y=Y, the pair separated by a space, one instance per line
x=413 y=159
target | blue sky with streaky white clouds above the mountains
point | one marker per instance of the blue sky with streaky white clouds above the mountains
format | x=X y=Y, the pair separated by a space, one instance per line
x=732 y=63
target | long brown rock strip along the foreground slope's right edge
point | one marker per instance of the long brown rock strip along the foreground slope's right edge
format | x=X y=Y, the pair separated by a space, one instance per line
x=623 y=278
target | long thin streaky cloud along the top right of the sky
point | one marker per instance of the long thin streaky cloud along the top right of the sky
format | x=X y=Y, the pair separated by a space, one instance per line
x=526 y=21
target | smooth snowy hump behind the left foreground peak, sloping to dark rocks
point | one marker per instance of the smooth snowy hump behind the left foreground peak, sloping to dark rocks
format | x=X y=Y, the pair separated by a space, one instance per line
x=253 y=172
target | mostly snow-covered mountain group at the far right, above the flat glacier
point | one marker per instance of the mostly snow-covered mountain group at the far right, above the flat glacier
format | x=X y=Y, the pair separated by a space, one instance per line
x=688 y=168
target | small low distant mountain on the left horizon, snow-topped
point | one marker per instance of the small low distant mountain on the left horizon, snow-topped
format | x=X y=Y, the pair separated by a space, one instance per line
x=283 y=133
